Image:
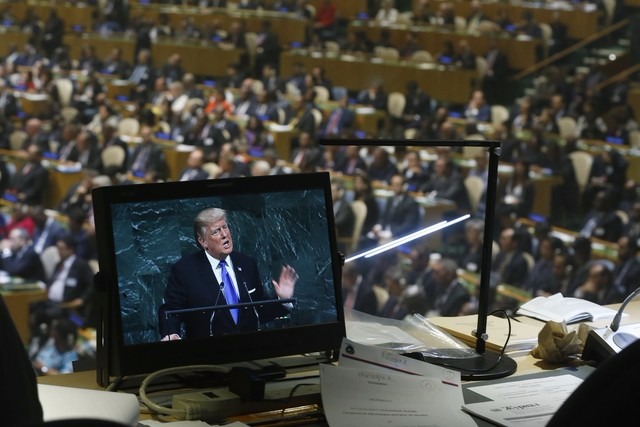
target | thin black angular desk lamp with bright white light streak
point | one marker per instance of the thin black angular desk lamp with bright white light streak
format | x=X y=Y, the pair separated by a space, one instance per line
x=483 y=365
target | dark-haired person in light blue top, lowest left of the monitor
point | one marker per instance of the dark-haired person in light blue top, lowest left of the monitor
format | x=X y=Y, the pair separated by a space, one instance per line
x=56 y=355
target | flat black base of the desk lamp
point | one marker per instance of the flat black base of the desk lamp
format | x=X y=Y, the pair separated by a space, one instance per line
x=486 y=366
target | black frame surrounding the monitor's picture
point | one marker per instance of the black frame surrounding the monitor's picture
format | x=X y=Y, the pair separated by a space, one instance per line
x=117 y=360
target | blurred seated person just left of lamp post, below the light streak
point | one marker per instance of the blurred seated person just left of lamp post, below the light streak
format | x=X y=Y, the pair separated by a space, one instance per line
x=446 y=295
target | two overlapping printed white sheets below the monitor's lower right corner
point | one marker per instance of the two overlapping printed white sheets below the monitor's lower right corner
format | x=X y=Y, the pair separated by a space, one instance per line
x=372 y=386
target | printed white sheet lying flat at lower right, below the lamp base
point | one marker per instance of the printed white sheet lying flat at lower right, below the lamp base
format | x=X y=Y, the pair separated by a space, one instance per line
x=528 y=403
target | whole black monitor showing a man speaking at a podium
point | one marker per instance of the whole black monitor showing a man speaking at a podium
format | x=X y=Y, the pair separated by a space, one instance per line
x=164 y=297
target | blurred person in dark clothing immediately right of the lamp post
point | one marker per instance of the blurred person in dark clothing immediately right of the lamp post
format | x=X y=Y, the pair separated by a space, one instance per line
x=509 y=265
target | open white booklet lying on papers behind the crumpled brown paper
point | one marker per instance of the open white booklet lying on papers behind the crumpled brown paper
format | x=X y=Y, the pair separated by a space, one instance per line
x=567 y=309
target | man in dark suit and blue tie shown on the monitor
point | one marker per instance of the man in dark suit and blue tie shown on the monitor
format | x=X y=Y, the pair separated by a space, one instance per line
x=216 y=276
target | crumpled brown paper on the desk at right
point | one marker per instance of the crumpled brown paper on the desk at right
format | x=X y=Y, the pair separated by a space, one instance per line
x=557 y=345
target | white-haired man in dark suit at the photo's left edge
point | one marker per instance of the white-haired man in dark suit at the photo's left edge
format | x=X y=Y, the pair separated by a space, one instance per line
x=18 y=257
